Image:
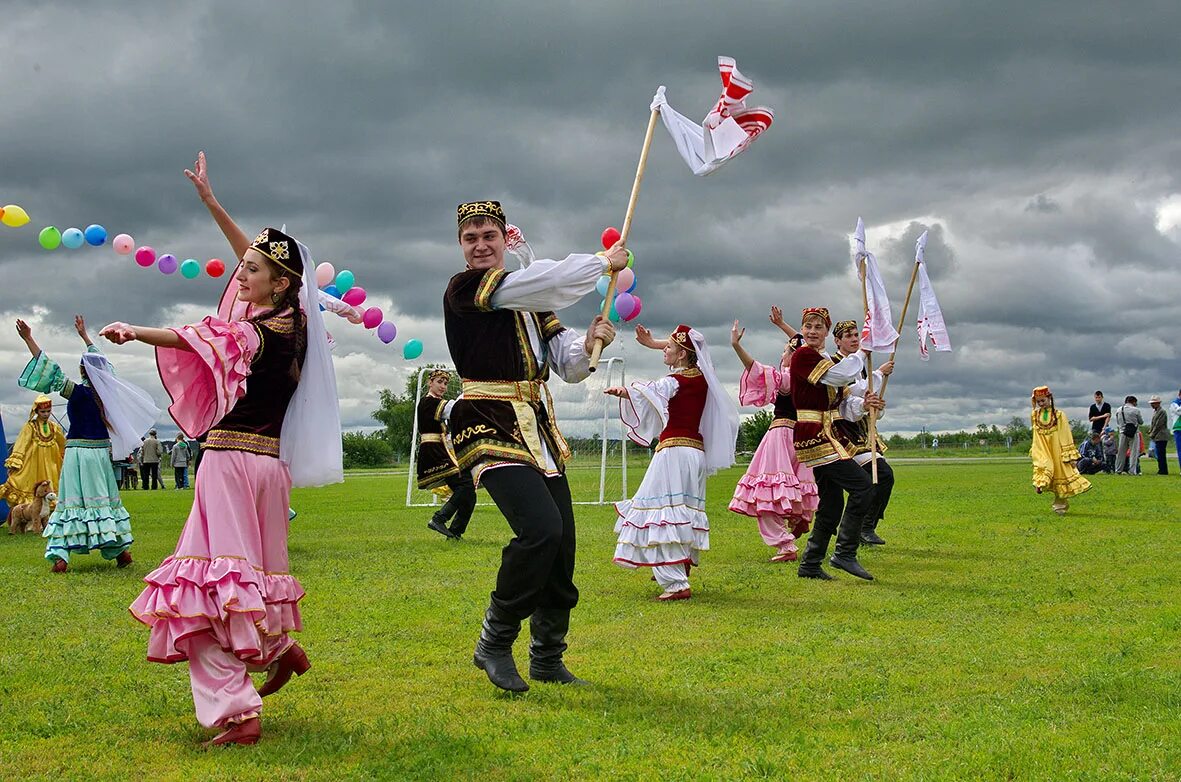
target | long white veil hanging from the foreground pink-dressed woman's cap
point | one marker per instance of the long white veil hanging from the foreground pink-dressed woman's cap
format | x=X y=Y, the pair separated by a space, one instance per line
x=310 y=444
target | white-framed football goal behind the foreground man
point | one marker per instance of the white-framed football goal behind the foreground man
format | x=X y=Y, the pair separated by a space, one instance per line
x=590 y=422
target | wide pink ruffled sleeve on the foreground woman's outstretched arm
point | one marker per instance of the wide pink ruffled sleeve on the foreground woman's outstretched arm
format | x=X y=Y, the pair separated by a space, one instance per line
x=207 y=379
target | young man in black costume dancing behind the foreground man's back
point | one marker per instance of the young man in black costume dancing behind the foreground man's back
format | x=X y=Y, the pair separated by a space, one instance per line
x=436 y=466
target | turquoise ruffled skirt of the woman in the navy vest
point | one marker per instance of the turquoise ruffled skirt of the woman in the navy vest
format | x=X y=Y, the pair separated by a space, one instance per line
x=90 y=513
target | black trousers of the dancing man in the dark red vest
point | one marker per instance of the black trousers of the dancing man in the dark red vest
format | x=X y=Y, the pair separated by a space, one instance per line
x=833 y=481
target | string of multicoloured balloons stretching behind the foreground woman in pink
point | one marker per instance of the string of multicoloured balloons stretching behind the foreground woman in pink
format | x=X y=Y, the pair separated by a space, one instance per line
x=338 y=291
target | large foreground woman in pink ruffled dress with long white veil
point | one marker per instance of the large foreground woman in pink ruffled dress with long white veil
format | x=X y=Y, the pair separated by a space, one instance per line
x=257 y=381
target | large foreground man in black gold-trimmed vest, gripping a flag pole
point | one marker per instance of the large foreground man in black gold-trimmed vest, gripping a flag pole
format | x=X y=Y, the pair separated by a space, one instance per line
x=505 y=340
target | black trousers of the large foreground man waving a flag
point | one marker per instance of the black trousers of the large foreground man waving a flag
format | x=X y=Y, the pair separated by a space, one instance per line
x=538 y=565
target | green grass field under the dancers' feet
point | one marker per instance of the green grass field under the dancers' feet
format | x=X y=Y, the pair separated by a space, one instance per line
x=1000 y=642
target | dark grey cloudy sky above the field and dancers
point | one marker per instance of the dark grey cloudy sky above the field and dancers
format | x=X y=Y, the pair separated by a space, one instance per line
x=1036 y=141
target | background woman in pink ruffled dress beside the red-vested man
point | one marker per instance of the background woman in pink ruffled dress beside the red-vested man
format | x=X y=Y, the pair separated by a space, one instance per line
x=778 y=490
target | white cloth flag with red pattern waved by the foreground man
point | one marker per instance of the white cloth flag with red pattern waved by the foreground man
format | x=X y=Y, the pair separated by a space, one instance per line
x=727 y=131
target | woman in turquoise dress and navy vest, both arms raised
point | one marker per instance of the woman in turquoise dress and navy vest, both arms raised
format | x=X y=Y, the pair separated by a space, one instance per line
x=106 y=414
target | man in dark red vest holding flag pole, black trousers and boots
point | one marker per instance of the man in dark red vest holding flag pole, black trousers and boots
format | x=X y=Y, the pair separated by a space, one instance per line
x=818 y=388
